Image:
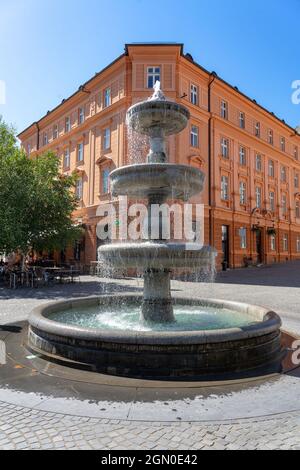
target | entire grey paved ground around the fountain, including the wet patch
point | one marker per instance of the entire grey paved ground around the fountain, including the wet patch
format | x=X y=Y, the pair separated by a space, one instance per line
x=46 y=405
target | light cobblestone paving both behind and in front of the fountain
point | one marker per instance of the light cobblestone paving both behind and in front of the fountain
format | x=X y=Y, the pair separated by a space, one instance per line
x=27 y=428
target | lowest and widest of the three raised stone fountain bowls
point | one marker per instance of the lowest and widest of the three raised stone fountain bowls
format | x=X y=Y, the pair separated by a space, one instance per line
x=157 y=255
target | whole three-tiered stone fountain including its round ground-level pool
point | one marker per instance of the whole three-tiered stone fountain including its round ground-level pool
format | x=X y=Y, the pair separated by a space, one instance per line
x=153 y=335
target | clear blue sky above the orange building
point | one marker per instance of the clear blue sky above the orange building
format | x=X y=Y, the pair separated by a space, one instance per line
x=49 y=47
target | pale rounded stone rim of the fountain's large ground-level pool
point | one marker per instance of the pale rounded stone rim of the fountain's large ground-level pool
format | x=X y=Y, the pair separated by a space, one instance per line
x=269 y=323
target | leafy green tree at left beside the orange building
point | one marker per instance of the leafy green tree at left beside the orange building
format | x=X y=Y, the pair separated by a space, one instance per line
x=36 y=201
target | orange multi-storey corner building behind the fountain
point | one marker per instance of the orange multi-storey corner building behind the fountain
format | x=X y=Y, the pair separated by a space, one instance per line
x=250 y=157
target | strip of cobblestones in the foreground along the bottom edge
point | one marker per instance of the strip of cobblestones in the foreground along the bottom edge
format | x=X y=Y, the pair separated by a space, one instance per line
x=24 y=428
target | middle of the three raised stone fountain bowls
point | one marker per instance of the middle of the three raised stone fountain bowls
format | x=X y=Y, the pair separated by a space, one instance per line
x=164 y=180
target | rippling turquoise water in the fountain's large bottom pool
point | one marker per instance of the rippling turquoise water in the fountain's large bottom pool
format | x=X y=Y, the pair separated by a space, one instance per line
x=127 y=317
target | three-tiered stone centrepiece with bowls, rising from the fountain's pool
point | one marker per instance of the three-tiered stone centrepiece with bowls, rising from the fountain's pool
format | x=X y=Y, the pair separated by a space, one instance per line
x=157 y=181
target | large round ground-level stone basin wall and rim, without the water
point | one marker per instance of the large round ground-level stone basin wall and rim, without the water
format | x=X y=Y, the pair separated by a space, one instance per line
x=246 y=351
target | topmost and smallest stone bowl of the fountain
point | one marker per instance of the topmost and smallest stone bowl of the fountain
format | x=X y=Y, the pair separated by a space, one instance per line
x=168 y=116
